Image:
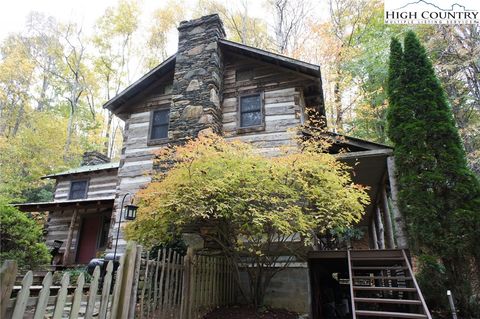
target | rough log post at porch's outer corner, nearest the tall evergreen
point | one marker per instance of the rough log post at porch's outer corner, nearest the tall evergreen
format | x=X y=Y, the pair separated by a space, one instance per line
x=400 y=229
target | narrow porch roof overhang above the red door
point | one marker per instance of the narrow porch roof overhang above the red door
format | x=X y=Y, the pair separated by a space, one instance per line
x=89 y=203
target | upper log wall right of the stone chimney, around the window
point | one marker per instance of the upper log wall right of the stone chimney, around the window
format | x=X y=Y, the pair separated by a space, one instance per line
x=283 y=104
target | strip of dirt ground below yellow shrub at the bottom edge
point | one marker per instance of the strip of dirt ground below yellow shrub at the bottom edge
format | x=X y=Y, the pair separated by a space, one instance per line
x=249 y=313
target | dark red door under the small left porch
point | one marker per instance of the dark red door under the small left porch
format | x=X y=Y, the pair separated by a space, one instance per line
x=87 y=241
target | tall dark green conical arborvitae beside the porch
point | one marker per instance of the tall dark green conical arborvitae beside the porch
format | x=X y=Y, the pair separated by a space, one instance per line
x=439 y=196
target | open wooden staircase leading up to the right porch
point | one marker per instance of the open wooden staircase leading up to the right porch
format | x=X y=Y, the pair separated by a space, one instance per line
x=382 y=285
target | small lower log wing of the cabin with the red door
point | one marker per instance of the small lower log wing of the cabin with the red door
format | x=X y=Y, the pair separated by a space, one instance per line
x=79 y=216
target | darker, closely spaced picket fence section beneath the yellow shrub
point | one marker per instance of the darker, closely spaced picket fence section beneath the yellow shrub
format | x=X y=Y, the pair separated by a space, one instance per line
x=187 y=287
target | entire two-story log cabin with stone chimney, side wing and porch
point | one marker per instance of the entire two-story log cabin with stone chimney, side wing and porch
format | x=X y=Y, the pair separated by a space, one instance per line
x=245 y=93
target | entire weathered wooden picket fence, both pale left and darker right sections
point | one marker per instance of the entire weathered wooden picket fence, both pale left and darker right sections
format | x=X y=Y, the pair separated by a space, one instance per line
x=170 y=286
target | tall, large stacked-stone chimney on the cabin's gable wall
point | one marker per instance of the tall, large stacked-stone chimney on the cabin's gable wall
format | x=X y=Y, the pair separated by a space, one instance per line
x=197 y=79
